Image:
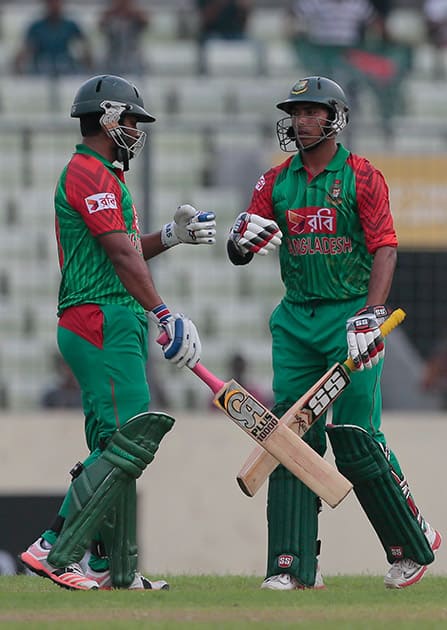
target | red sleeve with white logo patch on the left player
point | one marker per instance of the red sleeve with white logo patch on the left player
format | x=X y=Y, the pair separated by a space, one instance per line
x=94 y=192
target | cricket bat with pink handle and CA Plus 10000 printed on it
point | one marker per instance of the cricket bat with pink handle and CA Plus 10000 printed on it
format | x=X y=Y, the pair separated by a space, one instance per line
x=278 y=440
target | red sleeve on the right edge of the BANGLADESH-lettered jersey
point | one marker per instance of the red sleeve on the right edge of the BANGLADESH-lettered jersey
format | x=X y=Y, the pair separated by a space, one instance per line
x=373 y=205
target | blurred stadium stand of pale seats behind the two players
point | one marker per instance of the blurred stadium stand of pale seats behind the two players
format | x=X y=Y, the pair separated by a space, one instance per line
x=206 y=127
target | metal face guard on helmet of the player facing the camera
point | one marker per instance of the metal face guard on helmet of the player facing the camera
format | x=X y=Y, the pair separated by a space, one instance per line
x=290 y=141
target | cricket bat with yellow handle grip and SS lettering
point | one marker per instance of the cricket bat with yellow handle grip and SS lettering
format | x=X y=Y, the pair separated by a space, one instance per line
x=300 y=417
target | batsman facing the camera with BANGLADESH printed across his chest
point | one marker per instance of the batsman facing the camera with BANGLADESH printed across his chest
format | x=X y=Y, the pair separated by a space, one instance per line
x=328 y=211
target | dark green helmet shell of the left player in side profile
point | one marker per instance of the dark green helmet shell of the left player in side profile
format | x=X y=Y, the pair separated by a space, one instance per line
x=95 y=91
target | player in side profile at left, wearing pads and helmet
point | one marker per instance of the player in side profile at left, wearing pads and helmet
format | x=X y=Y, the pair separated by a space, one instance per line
x=106 y=295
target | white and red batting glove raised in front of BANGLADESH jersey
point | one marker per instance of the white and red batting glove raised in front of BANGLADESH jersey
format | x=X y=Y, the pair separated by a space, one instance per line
x=254 y=234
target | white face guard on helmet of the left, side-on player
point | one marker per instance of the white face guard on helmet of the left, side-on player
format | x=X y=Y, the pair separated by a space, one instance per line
x=129 y=140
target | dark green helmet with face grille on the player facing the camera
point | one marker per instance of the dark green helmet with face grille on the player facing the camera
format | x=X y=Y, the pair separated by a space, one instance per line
x=313 y=90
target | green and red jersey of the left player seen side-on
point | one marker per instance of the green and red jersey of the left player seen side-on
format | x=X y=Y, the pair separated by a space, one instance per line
x=91 y=200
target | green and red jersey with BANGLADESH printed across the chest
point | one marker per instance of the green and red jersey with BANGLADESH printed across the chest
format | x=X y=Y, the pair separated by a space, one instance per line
x=332 y=224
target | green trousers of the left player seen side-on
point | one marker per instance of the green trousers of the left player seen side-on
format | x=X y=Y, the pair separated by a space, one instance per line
x=112 y=377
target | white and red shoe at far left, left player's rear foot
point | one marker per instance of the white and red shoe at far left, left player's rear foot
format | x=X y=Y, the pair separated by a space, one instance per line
x=71 y=577
